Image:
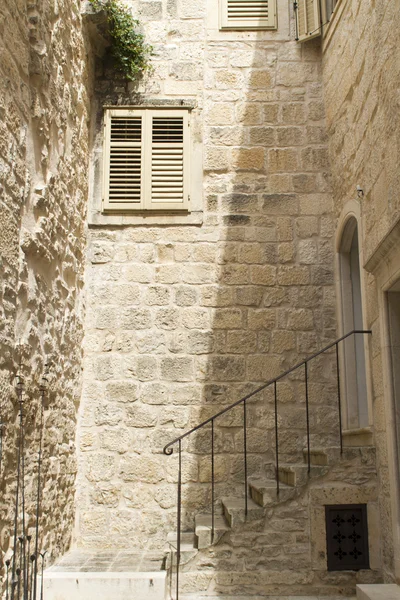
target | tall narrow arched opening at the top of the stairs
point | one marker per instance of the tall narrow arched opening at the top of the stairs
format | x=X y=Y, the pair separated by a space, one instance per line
x=353 y=355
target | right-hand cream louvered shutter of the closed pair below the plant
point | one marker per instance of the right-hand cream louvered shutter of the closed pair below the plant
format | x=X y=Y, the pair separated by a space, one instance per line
x=167 y=160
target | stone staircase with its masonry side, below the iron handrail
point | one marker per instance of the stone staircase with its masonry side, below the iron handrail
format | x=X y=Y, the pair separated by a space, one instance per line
x=269 y=551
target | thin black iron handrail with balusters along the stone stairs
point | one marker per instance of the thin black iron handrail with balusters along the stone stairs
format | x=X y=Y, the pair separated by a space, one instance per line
x=168 y=449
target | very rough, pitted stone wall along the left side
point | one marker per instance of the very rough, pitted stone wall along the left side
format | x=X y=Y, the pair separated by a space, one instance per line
x=43 y=173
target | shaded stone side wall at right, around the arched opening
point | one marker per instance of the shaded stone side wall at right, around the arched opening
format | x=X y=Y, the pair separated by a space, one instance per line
x=361 y=73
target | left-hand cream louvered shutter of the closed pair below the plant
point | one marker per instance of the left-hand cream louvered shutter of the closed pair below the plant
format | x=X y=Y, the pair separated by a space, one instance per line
x=123 y=160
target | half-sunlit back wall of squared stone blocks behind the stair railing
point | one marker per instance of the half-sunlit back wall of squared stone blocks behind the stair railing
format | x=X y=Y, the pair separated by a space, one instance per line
x=182 y=320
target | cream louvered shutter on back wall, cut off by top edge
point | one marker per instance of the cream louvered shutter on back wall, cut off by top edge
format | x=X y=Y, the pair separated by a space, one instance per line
x=248 y=14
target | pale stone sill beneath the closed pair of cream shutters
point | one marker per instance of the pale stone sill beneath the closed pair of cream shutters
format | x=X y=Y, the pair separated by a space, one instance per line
x=99 y=219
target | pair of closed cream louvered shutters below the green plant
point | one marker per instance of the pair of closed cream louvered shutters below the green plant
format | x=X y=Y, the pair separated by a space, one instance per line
x=146 y=160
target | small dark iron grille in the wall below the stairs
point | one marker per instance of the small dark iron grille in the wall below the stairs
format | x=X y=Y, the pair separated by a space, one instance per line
x=347 y=537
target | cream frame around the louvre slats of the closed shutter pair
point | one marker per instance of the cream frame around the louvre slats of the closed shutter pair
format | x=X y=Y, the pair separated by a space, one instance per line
x=146 y=205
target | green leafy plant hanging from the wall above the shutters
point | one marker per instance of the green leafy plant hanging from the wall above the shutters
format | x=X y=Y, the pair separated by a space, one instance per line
x=128 y=47
